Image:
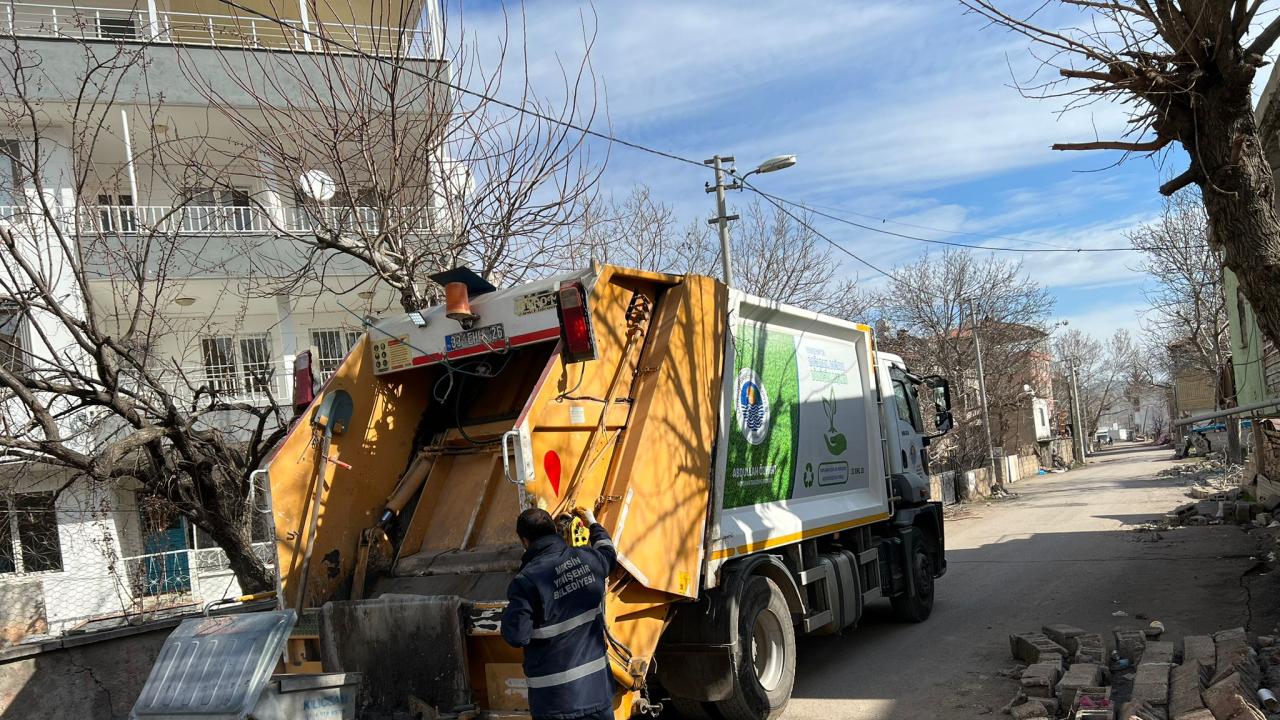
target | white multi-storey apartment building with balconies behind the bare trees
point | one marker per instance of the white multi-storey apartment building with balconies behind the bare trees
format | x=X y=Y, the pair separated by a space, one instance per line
x=72 y=553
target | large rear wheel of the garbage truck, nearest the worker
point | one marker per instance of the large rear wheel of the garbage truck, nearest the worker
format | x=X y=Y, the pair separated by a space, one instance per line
x=765 y=654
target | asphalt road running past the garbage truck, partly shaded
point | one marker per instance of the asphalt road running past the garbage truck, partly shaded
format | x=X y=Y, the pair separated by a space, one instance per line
x=1068 y=550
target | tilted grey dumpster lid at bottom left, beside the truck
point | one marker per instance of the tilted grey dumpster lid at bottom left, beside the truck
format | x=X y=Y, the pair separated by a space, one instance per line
x=214 y=668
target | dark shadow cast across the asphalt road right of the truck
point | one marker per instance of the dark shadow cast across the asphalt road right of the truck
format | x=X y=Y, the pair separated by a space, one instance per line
x=1026 y=578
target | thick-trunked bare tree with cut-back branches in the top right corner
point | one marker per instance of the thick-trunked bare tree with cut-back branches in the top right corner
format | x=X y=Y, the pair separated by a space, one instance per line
x=1186 y=71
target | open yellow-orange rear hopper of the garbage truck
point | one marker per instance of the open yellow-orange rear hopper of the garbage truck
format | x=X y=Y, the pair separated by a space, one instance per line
x=600 y=388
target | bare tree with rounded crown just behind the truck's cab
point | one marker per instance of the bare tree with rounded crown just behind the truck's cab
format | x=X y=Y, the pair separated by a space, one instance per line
x=930 y=313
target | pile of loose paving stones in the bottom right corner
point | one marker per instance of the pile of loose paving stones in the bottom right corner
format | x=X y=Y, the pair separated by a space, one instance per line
x=1068 y=673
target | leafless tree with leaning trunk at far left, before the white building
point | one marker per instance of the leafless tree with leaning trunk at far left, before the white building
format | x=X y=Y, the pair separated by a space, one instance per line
x=89 y=394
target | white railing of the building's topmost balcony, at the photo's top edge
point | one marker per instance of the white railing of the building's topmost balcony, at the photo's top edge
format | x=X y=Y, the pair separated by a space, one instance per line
x=39 y=20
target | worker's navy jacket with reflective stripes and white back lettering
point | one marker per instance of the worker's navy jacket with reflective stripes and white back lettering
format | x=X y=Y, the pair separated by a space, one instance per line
x=556 y=613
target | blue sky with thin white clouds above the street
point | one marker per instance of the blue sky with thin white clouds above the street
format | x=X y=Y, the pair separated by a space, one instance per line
x=898 y=111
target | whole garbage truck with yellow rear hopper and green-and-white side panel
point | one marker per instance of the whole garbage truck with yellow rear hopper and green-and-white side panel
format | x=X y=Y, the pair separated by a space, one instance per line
x=761 y=468
